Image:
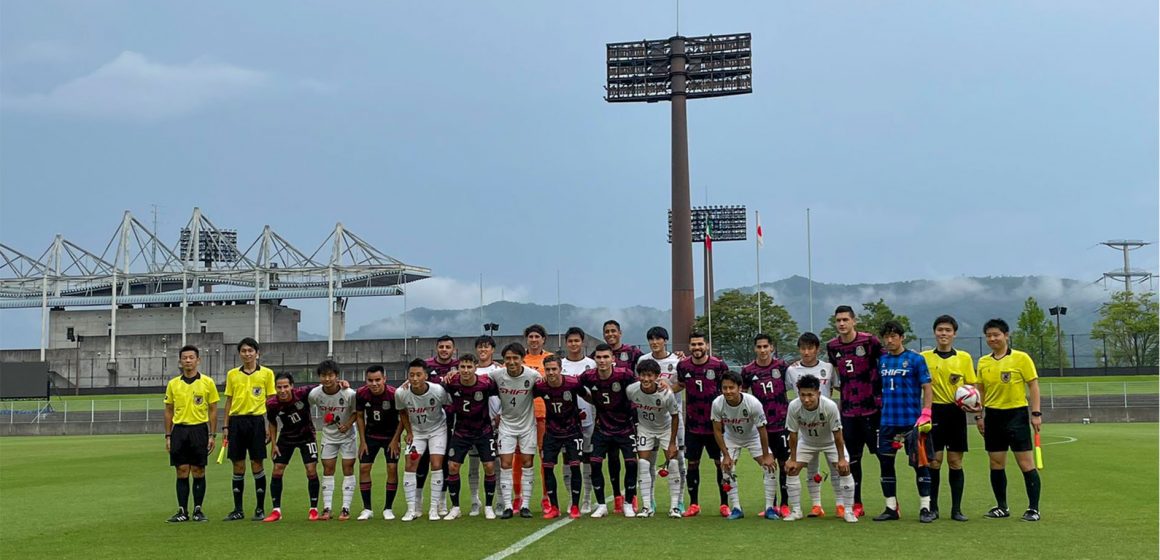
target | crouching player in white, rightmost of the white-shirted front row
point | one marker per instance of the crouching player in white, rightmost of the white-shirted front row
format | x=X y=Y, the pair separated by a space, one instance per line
x=816 y=428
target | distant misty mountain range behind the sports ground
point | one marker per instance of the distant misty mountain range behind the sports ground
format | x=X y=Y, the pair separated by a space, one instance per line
x=973 y=301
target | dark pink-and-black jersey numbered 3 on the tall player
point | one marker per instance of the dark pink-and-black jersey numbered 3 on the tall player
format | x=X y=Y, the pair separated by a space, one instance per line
x=857 y=367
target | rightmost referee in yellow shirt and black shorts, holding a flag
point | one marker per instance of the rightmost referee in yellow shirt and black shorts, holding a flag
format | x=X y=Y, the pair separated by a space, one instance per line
x=1006 y=380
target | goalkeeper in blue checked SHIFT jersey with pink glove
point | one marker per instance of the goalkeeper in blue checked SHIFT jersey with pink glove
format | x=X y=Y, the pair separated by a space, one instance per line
x=907 y=398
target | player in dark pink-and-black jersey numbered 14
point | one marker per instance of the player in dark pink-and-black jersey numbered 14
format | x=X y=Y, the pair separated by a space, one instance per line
x=765 y=377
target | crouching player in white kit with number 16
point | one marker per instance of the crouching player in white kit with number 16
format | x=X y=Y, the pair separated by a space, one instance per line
x=739 y=424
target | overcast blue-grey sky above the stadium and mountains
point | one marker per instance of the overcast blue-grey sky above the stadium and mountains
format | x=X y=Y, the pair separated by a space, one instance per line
x=931 y=140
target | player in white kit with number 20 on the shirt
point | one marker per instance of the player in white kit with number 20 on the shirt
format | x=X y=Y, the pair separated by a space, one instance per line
x=658 y=421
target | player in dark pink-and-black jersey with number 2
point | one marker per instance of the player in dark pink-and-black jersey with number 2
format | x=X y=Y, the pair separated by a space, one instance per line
x=472 y=431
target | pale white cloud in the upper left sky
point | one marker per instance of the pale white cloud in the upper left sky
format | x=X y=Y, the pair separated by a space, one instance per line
x=134 y=88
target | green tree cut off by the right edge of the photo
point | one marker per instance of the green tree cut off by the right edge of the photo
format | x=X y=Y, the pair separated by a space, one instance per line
x=1128 y=326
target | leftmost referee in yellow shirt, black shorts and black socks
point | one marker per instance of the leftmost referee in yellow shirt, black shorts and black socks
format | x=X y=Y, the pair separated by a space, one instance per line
x=191 y=423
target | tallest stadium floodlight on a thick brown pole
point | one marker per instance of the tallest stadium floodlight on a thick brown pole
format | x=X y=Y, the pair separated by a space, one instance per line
x=677 y=70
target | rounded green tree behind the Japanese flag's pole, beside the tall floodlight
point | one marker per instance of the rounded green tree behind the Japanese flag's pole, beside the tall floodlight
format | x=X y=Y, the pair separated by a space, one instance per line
x=736 y=324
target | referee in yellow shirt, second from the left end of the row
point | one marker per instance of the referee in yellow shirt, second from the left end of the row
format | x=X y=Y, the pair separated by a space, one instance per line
x=246 y=390
